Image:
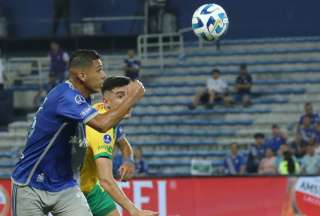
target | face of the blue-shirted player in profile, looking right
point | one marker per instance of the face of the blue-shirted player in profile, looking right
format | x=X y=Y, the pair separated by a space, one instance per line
x=94 y=76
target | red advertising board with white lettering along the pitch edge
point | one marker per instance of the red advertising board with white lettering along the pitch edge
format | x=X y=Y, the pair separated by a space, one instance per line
x=215 y=196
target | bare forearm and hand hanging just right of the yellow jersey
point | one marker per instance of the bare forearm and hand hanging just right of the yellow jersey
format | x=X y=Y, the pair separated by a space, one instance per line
x=127 y=168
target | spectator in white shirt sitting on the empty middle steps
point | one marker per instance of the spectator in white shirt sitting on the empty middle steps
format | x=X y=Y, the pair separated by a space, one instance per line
x=216 y=91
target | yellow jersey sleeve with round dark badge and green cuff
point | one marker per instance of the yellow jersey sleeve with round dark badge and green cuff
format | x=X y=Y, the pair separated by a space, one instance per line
x=96 y=142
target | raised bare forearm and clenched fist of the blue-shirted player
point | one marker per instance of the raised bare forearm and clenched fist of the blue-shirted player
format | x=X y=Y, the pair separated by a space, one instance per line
x=103 y=122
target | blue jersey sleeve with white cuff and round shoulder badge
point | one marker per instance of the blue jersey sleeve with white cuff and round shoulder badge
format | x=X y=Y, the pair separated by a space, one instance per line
x=75 y=106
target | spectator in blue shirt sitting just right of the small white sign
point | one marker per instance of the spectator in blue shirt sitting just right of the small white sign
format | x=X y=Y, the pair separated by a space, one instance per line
x=234 y=163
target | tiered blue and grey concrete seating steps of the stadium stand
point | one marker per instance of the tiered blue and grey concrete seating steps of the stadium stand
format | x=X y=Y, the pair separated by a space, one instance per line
x=286 y=74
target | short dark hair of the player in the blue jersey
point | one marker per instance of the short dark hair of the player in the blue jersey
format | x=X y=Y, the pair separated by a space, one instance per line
x=83 y=58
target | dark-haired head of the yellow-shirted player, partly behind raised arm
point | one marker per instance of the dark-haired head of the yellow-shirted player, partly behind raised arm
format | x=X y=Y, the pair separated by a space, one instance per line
x=114 y=91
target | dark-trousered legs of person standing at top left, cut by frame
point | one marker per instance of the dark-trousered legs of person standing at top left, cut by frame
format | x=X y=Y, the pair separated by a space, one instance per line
x=61 y=11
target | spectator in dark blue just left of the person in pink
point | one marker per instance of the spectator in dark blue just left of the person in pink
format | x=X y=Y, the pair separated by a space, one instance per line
x=256 y=152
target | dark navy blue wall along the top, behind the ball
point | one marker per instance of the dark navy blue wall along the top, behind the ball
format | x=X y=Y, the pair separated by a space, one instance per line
x=249 y=18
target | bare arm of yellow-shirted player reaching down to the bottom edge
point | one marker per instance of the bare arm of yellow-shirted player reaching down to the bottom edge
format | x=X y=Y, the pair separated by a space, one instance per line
x=109 y=184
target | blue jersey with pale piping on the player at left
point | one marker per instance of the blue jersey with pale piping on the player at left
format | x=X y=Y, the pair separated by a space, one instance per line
x=56 y=141
